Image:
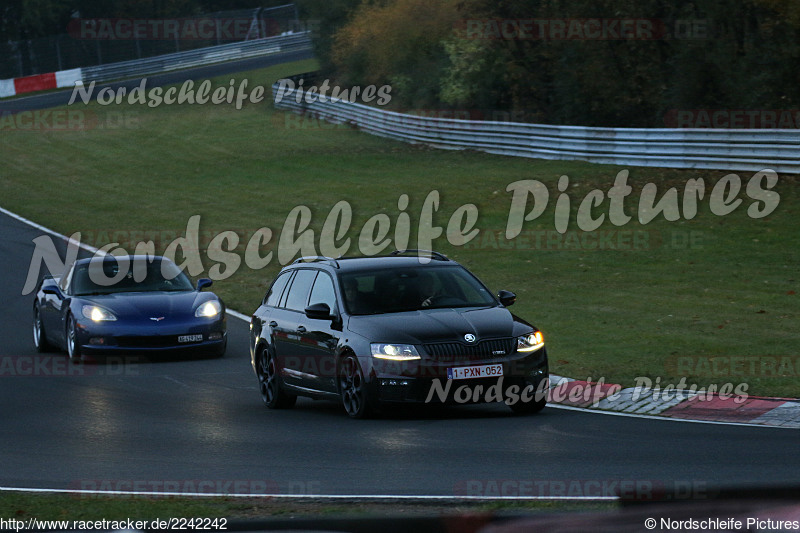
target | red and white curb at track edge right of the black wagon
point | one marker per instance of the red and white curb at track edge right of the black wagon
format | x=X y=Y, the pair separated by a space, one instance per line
x=675 y=404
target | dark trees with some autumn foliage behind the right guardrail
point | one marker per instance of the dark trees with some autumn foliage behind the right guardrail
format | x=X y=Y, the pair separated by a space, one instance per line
x=619 y=63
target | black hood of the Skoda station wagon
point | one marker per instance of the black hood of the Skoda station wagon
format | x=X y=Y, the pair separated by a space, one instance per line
x=435 y=325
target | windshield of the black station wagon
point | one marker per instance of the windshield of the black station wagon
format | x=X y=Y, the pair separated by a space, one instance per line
x=411 y=289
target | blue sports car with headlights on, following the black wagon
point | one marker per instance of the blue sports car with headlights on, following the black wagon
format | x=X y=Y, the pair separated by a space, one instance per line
x=139 y=304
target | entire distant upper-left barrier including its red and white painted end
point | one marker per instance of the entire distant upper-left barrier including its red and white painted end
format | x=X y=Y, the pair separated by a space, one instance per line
x=158 y=64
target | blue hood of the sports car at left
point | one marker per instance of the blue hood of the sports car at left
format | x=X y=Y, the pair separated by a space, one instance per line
x=151 y=304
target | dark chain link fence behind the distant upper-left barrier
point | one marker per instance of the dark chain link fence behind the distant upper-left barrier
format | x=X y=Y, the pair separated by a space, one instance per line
x=93 y=42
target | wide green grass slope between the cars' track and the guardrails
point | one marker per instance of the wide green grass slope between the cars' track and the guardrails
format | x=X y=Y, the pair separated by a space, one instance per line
x=617 y=314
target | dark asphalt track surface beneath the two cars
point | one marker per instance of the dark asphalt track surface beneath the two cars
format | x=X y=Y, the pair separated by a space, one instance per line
x=172 y=424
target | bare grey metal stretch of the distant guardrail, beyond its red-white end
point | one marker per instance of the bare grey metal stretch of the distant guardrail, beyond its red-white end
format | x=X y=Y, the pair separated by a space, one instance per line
x=197 y=57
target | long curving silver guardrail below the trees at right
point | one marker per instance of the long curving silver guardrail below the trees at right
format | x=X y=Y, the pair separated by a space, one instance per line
x=718 y=149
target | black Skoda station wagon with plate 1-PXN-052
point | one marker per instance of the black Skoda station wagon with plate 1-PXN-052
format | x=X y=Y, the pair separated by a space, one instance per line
x=413 y=326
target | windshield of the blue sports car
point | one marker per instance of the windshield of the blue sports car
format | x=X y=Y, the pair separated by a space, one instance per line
x=141 y=276
